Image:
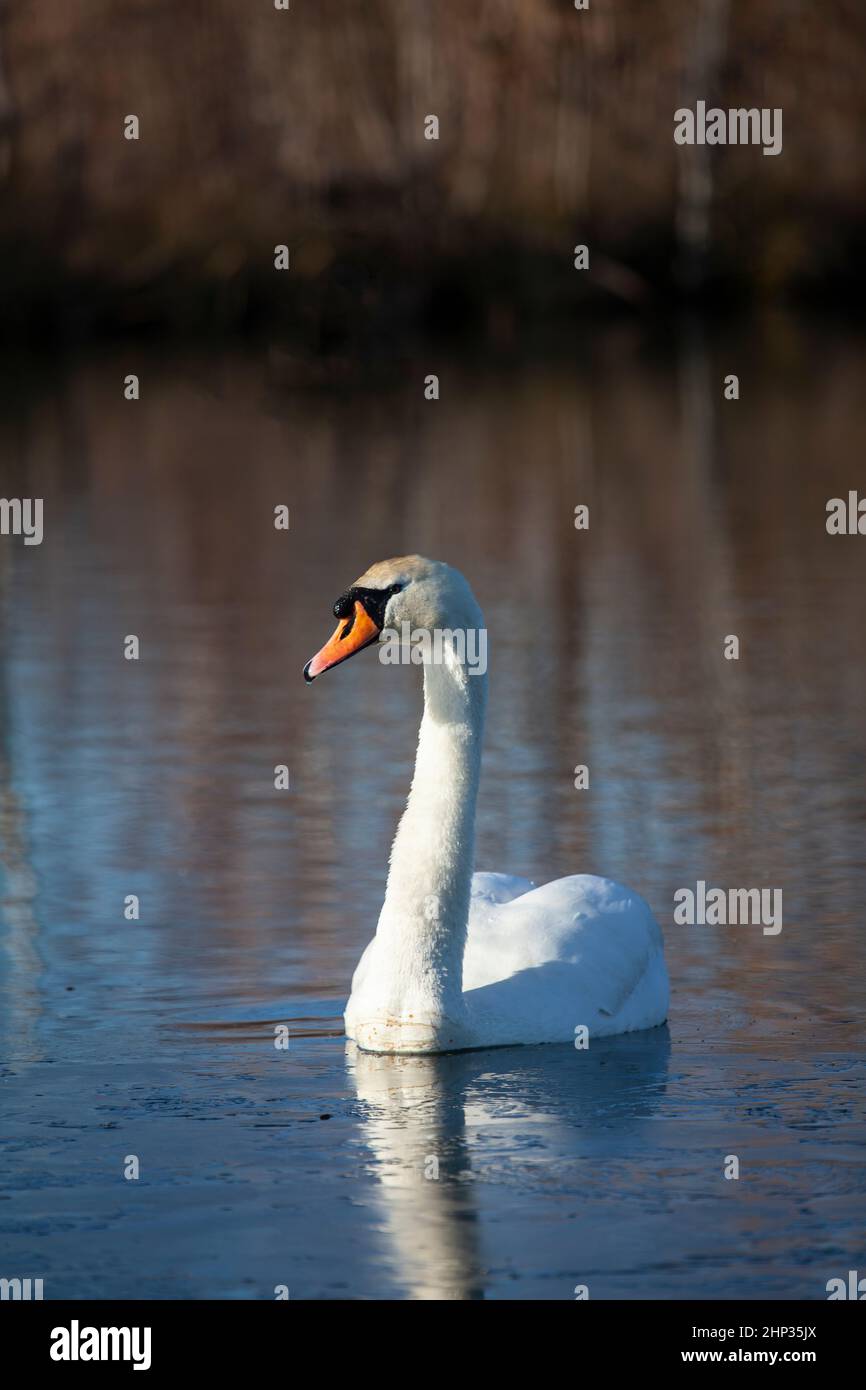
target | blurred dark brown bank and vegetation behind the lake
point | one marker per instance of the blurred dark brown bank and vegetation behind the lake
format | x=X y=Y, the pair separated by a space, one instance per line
x=307 y=129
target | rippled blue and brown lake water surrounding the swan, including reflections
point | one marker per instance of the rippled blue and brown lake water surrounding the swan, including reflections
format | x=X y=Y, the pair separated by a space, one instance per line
x=307 y=1167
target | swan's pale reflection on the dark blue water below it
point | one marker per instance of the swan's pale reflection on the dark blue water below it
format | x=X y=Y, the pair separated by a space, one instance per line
x=432 y=1124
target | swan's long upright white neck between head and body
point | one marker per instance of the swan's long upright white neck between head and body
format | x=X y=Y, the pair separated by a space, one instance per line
x=422 y=932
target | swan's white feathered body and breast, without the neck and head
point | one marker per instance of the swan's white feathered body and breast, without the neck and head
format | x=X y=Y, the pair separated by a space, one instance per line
x=539 y=964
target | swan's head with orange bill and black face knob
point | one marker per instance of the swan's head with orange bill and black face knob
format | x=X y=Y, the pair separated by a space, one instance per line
x=426 y=594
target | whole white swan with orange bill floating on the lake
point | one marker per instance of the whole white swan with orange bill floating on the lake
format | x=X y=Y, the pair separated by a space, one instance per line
x=466 y=960
